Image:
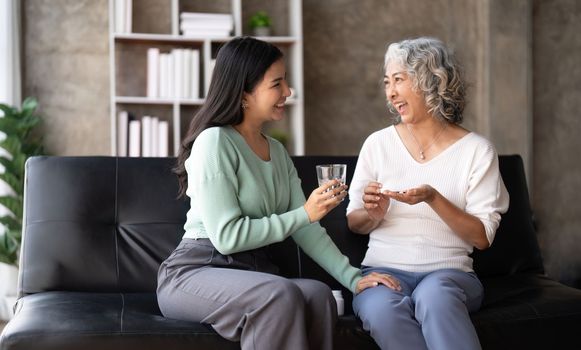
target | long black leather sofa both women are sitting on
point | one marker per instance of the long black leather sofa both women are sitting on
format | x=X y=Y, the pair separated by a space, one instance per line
x=96 y=229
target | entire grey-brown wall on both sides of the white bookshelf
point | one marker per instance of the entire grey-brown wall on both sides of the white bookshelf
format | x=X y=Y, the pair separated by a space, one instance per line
x=520 y=56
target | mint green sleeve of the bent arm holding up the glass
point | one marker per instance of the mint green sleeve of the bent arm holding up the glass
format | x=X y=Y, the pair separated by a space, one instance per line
x=213 y=169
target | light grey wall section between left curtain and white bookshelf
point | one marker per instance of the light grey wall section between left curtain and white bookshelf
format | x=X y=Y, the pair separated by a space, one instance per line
x=66 y=66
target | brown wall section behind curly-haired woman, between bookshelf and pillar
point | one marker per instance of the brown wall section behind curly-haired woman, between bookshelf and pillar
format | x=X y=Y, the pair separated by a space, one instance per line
x=344 y=45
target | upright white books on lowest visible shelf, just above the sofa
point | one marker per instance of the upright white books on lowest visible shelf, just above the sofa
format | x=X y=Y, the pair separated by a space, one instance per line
x=147 y=137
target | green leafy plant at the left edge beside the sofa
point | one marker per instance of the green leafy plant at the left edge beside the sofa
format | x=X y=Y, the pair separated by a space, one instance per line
x=19 y=145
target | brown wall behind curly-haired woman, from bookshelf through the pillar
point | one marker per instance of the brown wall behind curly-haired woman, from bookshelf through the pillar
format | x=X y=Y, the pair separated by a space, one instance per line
x=344 y=46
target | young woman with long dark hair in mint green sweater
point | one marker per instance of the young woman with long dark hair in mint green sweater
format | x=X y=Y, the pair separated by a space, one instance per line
x=245 y=194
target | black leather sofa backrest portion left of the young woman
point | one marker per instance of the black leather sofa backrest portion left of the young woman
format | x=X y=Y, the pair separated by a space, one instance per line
x=100 y=224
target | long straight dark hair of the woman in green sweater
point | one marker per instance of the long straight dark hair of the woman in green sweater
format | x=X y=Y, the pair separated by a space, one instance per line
x=240 y=65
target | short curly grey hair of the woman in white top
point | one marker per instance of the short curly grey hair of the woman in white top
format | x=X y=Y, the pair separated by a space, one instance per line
x=435 y=73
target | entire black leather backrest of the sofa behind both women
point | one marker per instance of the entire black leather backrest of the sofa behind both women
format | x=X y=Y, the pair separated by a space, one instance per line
x=104 y=224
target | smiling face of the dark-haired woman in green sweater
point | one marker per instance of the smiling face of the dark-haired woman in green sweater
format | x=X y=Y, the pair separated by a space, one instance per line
x=266 y=102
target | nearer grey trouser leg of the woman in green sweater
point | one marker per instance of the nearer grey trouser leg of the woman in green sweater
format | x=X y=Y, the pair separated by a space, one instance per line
x=261 y=310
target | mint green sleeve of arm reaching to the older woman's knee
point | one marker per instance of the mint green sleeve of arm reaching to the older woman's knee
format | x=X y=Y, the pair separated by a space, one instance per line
x=317 y=244
